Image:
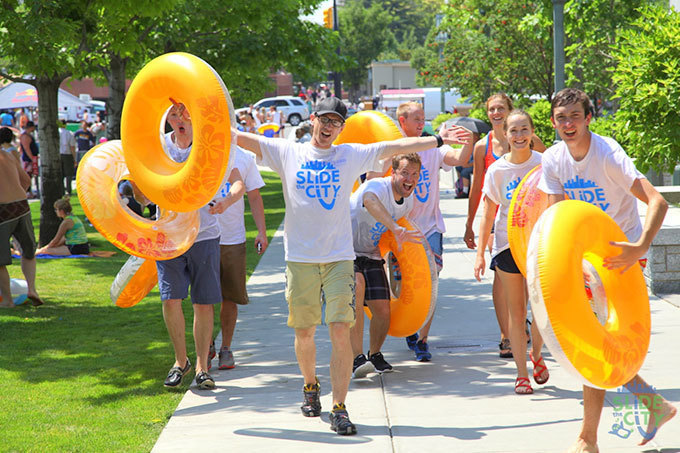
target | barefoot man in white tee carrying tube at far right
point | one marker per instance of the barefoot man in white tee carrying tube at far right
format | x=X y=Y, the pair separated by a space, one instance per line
x=586 y=166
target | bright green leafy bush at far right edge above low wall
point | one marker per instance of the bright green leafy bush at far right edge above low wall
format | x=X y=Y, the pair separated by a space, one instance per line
x=648 y=86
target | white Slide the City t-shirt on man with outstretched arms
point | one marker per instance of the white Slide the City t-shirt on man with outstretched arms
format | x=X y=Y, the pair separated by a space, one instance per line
x=317 y=184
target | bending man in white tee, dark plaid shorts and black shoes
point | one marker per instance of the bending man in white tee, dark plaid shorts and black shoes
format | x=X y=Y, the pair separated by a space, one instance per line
x=375 y=208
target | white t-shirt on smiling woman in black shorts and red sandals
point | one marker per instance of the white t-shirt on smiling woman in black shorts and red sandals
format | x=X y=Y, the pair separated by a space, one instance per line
x=500 y=182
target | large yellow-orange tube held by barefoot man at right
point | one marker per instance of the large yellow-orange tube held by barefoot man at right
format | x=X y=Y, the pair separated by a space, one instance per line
x=602 y=356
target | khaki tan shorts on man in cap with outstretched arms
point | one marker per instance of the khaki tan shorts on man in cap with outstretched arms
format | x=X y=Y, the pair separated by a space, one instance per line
x=309 y=285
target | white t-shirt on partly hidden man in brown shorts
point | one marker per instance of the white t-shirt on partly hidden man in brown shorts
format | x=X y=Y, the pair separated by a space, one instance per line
x=232 y=226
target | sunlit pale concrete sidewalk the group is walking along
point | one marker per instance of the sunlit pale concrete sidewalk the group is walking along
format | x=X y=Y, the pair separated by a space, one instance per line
x=462 y=401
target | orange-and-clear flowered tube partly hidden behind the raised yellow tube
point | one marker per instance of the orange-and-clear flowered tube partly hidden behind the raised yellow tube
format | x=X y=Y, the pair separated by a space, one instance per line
x=99 y=172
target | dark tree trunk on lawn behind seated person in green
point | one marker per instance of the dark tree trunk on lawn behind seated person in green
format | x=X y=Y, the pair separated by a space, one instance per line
x=50 y=162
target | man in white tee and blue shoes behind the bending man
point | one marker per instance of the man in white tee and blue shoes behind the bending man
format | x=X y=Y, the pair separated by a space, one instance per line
x=426 y=211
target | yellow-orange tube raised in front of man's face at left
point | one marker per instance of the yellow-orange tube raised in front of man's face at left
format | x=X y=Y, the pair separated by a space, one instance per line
x=186 y=79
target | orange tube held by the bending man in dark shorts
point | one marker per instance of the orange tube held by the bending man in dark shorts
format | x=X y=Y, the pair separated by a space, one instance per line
x=416 y=301
